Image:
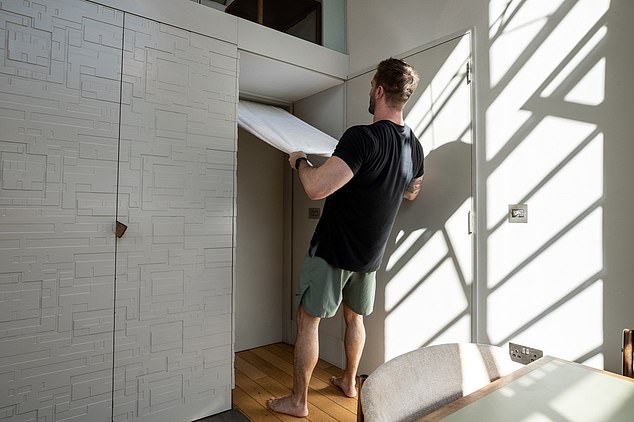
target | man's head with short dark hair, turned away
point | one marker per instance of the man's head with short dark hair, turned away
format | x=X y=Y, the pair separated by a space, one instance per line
x=398 y=79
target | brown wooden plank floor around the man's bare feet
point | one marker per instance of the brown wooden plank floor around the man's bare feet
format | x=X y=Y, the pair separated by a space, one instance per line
x=266 y=372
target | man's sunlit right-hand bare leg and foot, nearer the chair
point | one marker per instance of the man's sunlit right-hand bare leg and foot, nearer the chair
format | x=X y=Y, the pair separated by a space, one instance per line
x=354 y=342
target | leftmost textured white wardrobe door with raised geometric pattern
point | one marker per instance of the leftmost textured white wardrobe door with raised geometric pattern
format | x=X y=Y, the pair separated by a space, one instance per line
x=60 y=67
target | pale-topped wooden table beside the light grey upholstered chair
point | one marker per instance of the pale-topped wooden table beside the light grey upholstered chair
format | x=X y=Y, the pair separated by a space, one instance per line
x=549 y=389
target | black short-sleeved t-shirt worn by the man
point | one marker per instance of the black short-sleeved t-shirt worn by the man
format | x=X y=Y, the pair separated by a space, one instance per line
x=357 y=219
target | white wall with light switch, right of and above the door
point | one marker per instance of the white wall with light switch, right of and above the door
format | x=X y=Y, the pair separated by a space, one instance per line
x=553 y=88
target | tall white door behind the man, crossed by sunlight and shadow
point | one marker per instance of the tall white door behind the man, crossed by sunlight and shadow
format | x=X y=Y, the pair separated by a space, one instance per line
x=424 y=285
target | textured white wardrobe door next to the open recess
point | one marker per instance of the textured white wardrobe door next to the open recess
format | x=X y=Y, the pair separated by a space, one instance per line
x=173 y=359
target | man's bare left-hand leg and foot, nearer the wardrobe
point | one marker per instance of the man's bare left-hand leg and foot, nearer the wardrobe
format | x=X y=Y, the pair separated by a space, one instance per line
x=305 y=359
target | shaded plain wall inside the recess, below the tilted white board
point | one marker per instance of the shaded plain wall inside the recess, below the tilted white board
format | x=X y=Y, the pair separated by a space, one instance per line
x=259 y=287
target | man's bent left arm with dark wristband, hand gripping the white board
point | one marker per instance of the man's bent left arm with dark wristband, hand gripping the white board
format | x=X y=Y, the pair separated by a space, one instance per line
x=319 y=182
